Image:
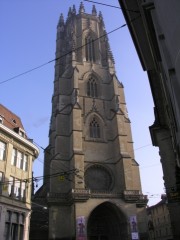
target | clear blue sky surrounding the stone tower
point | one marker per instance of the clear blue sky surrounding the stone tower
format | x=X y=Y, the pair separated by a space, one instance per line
x=28 y=41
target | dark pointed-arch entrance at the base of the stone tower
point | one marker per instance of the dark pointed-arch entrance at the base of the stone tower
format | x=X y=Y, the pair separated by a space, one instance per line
x=107 y=222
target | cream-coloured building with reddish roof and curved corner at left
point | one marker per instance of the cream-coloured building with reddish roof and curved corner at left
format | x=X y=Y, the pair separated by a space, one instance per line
x=17 y=154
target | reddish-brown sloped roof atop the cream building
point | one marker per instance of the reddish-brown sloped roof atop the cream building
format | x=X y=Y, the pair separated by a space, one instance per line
x=10 y=119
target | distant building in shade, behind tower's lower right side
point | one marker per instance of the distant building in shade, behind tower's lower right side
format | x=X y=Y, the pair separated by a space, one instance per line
x=159 y=222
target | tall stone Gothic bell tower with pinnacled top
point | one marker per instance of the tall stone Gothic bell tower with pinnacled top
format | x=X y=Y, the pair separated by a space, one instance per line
x=94 y=190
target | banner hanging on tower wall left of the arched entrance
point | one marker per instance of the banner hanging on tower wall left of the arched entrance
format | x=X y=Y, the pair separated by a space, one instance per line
x=81 y=228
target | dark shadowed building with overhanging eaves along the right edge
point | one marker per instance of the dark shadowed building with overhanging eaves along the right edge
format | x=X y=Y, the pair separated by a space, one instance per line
x=155 y=30
